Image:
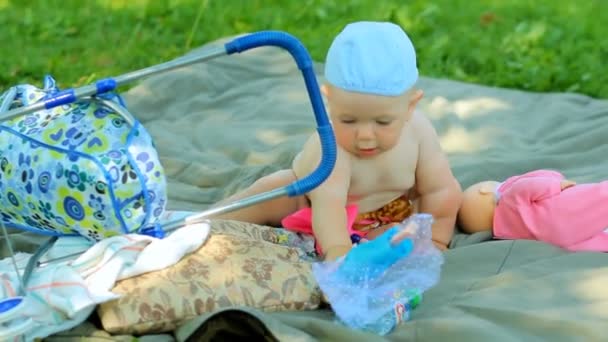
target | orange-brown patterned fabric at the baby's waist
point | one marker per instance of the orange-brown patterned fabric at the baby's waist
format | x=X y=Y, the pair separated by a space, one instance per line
x=393 y=212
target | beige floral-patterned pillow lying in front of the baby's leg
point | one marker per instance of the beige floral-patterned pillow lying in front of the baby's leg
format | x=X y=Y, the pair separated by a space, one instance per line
x=241 y=264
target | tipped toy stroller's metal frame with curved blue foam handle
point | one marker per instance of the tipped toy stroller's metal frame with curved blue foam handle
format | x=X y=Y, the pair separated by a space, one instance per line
x=10 y=307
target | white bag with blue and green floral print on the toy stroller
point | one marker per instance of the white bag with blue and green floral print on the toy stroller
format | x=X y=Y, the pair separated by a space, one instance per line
x=87 y=168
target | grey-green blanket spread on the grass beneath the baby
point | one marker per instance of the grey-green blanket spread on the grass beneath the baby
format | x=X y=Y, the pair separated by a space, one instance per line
x=220 y=125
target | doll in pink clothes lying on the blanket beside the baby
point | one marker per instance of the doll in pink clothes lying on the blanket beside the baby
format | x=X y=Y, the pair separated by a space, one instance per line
x=539 y=205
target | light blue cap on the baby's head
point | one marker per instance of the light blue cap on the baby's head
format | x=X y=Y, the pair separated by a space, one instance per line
x=373 y=58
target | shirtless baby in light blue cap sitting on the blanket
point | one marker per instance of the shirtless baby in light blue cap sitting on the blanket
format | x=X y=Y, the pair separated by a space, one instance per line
x=389 y=161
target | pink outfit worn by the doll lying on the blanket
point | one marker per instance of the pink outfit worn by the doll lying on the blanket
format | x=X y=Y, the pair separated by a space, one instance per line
x=533 y=206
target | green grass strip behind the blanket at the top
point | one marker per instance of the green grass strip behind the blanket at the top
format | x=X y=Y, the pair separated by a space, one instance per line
x=546 y=46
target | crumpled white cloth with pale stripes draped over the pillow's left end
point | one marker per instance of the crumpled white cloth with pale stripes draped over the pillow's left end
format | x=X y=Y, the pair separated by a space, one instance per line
x=62 y=295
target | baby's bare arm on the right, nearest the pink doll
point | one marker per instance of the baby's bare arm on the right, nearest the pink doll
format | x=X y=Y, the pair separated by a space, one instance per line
x=439 y=192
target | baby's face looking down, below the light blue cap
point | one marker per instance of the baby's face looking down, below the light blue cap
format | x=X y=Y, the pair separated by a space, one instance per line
x=366 y=125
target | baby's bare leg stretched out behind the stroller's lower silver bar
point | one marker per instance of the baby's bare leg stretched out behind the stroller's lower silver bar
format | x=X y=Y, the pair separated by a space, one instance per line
x=269 y=212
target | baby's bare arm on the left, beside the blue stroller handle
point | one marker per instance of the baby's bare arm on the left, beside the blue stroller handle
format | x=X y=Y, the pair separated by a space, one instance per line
x=328 y=200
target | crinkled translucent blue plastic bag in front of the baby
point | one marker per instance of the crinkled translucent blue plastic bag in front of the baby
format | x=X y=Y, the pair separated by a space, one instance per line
x=377 y=284
